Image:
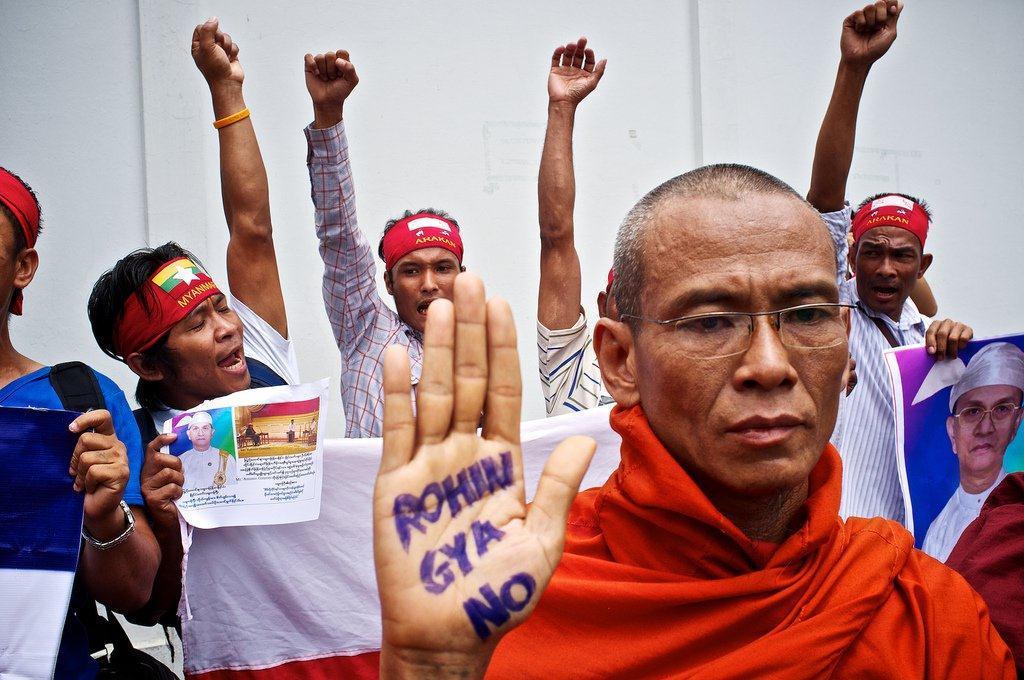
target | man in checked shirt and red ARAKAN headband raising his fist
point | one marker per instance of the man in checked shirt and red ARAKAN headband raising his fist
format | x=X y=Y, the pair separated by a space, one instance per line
x=422 y=252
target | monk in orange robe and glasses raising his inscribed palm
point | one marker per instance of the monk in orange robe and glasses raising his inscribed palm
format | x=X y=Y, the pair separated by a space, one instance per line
x=716 y=550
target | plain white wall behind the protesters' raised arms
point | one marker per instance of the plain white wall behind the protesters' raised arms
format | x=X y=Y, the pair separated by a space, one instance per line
x=104 y=112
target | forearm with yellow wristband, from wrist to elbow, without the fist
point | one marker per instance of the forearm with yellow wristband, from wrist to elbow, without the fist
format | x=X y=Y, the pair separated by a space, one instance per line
x=243 y=177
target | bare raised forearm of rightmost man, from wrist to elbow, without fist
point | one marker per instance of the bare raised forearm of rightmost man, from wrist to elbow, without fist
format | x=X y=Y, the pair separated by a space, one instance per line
x=834 y=152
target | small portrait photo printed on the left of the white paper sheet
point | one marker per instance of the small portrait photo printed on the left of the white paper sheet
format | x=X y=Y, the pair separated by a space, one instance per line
x=206 y=447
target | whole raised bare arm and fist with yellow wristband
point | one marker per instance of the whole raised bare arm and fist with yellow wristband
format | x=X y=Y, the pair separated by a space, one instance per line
x=252 y=263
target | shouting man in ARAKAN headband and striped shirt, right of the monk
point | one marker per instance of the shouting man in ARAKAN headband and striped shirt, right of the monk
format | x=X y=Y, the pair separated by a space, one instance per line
x=889 y=262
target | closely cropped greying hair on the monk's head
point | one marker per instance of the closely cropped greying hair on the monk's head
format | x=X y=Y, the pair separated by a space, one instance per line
x=726 y=181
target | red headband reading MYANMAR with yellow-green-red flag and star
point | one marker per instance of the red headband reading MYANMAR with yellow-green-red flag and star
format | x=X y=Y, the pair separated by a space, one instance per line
x=176 y=289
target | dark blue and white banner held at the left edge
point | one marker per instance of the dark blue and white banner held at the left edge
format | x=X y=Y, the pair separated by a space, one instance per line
x=40 y=535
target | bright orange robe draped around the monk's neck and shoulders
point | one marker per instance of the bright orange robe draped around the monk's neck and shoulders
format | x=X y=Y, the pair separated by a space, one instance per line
x=656 y=583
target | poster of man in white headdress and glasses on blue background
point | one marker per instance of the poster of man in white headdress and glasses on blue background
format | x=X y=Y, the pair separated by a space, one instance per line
x=957 y=426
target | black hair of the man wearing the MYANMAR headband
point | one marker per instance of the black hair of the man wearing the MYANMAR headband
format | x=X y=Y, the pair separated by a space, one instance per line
x=108 y=301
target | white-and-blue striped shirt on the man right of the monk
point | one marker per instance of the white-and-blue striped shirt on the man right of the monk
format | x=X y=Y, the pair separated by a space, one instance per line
x=866 y=432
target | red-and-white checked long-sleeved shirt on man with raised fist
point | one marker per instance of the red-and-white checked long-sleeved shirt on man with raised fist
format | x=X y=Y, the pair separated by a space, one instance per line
x=364 y=326
